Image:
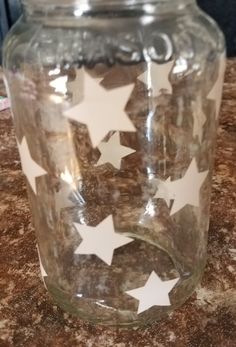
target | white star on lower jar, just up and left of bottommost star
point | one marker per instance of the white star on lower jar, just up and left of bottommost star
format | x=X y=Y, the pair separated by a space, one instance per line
x=101 y=240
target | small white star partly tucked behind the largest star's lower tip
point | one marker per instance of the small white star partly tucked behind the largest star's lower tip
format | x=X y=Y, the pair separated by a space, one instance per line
x=112 y=151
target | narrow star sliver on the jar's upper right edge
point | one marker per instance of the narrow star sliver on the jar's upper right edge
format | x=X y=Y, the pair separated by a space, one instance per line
x=216 y=92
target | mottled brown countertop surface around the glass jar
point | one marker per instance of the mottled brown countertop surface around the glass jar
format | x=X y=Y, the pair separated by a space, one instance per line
x=29 y=318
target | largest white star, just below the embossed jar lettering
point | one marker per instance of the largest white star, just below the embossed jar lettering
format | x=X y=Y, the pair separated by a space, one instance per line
x=102 y=110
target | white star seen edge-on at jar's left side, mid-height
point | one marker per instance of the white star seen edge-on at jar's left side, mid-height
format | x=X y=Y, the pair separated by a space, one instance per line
x=30 y=168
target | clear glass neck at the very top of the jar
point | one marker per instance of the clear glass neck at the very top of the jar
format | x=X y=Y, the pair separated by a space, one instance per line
x=81 y=7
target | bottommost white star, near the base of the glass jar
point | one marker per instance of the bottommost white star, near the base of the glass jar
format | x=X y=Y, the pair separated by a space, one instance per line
x=154 y=293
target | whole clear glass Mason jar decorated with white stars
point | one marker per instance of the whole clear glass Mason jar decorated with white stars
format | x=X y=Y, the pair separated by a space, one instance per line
x=115 y=106
